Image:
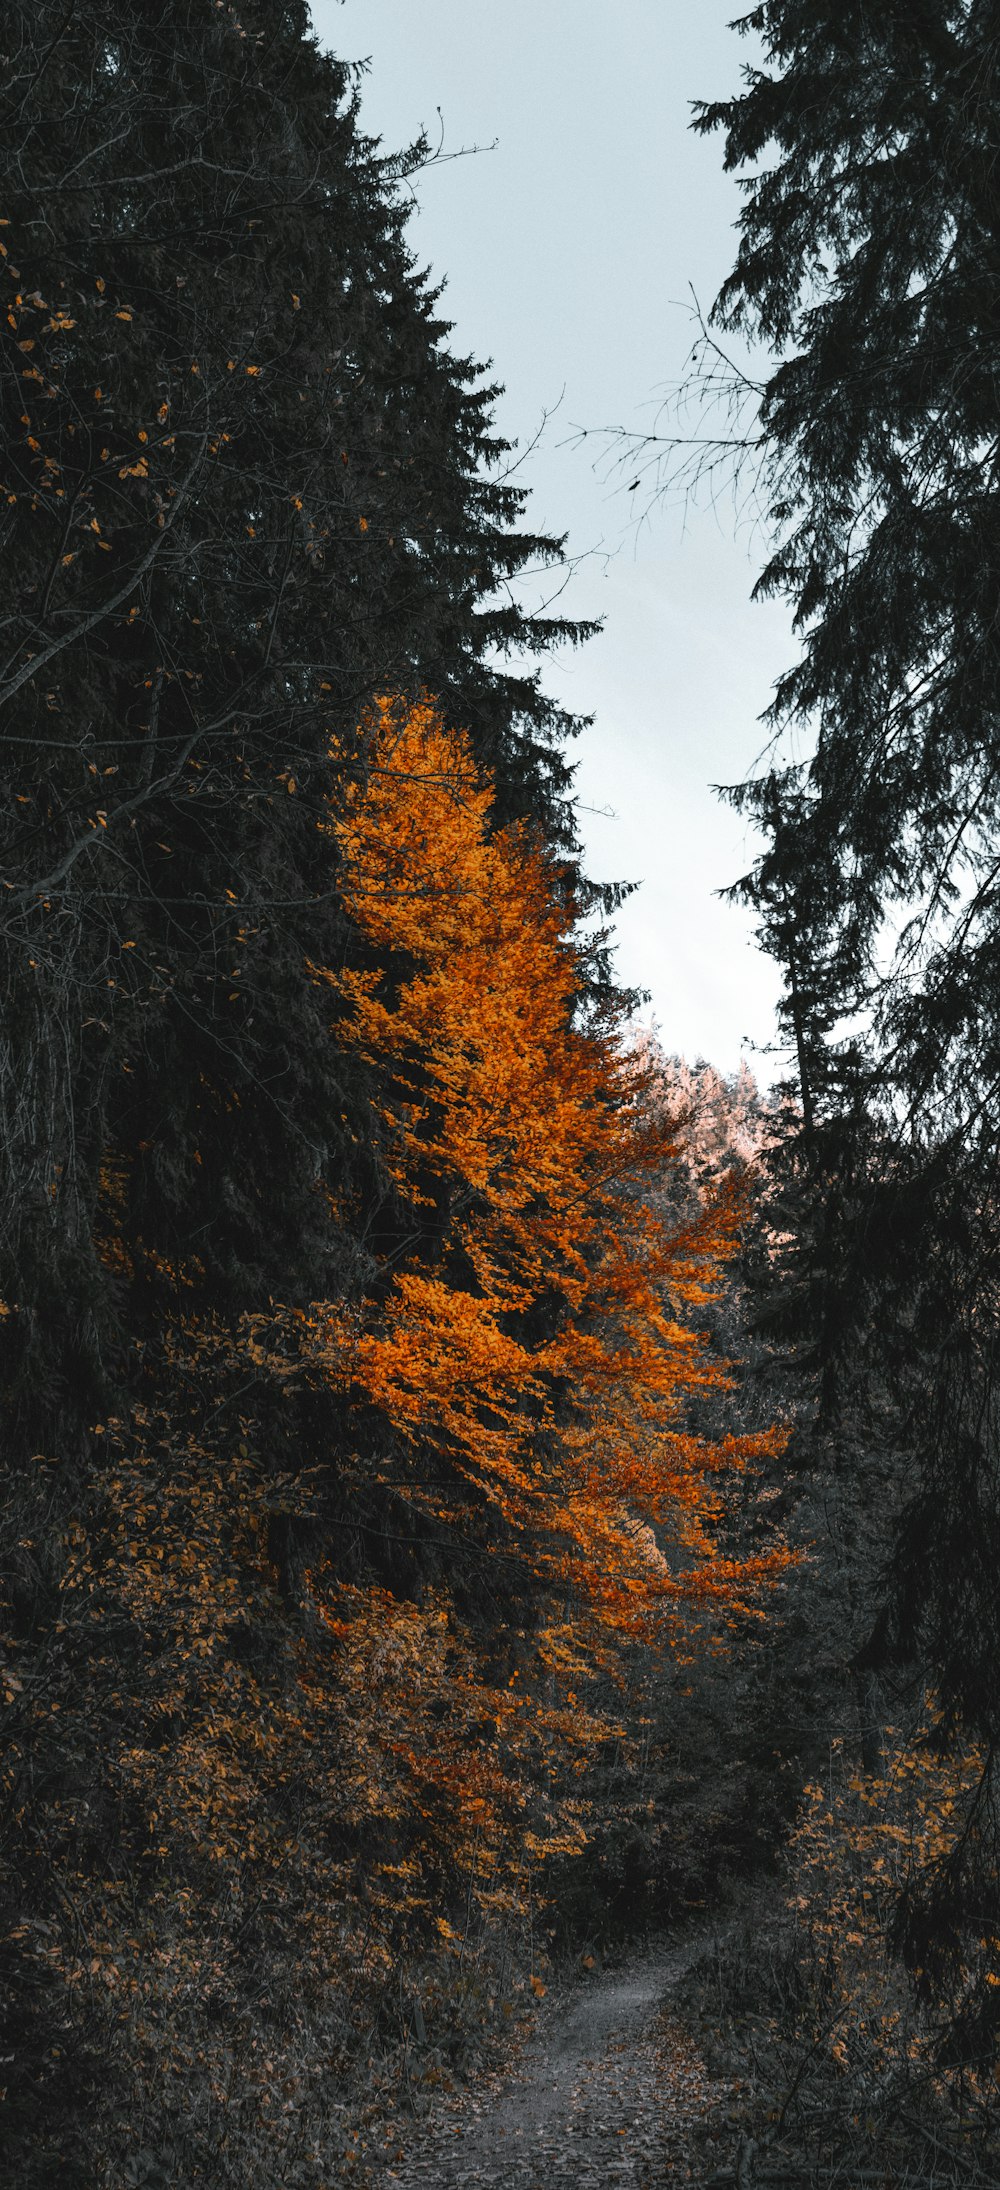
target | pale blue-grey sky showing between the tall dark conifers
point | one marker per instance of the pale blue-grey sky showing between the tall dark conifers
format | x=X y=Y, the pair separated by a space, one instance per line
x=572 y=244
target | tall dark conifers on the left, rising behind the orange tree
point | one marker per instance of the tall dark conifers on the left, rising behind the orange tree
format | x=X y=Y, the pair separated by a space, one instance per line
x=246 y=487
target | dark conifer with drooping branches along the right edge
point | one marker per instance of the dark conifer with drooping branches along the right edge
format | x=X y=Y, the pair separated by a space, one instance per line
x=870 y=260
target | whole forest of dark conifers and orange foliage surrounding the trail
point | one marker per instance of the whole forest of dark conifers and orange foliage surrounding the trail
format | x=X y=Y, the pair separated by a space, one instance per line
x=482 y=1495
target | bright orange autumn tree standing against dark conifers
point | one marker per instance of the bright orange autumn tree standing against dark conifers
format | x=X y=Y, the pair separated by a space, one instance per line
x=531 y=1344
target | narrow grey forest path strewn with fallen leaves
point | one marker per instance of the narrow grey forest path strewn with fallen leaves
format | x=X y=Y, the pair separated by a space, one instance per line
x=612 y=2090
